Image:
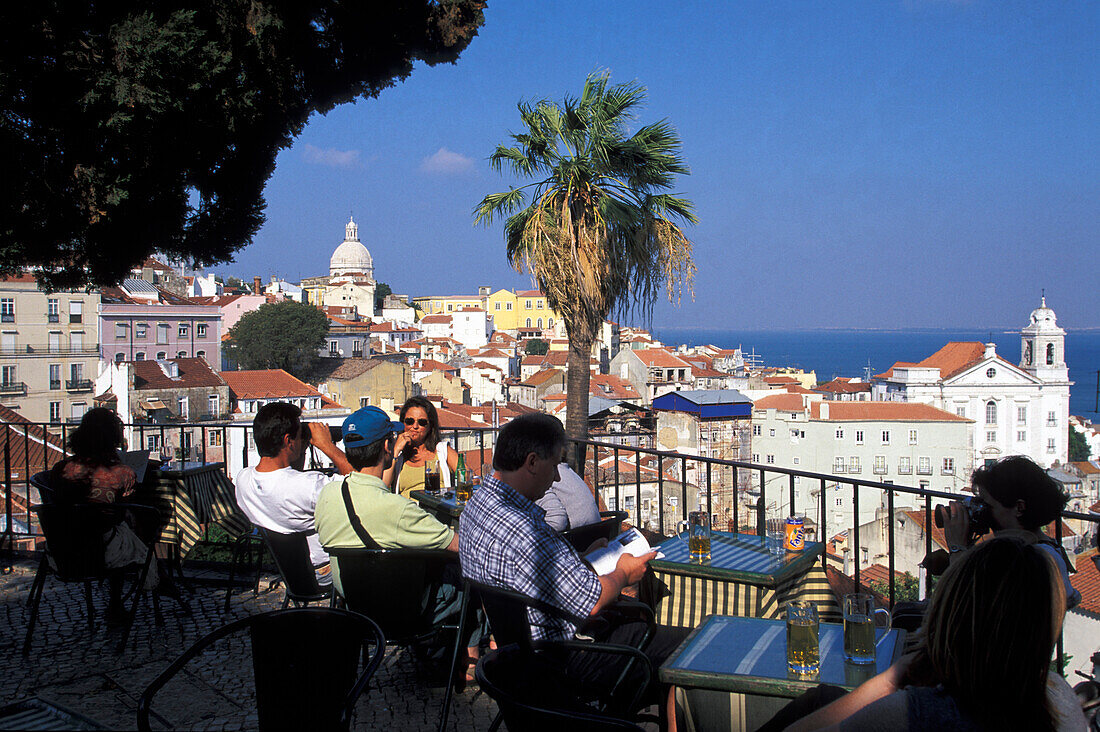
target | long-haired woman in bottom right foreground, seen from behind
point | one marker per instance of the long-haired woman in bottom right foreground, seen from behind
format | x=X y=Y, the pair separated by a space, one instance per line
x=984 y=660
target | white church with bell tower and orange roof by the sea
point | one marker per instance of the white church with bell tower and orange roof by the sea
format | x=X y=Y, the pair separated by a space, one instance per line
x=1017 y=409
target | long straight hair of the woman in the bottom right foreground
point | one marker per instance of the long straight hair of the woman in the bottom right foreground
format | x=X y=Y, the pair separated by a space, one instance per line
x=989 y=635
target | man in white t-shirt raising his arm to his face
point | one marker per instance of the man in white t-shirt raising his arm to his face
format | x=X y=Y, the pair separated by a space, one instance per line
x=277 y=495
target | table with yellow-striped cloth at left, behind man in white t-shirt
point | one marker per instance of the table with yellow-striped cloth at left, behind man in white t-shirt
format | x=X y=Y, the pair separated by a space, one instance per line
x=192 y=496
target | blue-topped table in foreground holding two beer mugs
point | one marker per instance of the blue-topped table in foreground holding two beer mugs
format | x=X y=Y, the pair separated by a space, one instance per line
x=732 y=673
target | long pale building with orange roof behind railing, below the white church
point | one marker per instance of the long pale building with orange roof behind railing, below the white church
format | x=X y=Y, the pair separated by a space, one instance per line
x=914 y=445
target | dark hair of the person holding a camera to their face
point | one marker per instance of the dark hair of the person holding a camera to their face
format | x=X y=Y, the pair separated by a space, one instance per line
x=1019 y=479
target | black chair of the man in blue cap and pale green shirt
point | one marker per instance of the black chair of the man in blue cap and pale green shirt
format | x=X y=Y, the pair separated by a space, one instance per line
x=398 y=588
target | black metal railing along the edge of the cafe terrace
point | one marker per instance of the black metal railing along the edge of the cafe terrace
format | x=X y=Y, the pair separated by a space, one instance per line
x=232 y=444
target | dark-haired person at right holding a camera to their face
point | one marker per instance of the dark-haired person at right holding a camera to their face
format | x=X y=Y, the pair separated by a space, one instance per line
x=1014 y=495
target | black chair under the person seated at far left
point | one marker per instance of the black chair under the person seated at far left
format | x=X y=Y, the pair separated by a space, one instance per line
x=76 y=541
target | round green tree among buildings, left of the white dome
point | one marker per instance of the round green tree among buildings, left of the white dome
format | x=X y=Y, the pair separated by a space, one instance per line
x=285 y=335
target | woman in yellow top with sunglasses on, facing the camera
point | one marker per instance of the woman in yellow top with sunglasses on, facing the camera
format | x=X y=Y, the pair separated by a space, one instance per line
x=421 y=444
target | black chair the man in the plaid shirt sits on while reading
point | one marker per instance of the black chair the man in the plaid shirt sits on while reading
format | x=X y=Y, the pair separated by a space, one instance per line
x=508 y=616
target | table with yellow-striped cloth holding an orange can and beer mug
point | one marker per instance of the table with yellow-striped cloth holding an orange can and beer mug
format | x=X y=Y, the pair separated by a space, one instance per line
x=742 y=578
